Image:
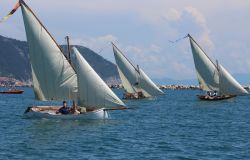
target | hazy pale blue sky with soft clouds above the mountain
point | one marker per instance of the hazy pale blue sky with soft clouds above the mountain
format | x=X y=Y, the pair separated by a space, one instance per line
x=143 y=28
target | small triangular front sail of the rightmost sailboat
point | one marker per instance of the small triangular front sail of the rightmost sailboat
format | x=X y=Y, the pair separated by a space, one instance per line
x=228 y=85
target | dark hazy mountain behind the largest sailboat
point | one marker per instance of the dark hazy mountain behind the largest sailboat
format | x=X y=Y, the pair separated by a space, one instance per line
x=14 y=61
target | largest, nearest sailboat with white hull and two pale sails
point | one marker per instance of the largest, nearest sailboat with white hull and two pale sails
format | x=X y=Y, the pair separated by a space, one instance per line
x=55 y=79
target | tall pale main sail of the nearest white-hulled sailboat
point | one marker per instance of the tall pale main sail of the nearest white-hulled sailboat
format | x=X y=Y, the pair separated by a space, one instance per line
x=53 y=76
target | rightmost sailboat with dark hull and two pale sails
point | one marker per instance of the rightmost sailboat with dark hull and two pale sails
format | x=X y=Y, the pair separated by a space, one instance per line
x=213 y=77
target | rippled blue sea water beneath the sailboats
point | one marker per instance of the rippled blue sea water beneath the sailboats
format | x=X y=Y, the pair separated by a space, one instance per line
x=174 y=126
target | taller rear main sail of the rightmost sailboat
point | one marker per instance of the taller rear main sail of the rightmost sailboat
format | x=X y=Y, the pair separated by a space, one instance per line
x=207 y=72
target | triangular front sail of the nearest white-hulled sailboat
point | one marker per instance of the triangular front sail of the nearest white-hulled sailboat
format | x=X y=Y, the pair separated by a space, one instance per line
x=92 y=90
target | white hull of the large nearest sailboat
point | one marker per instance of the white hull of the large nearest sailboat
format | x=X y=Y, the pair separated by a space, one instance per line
x=49 y=112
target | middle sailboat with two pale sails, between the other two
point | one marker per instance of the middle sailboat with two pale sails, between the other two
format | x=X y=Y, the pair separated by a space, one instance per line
x=136 y=83
